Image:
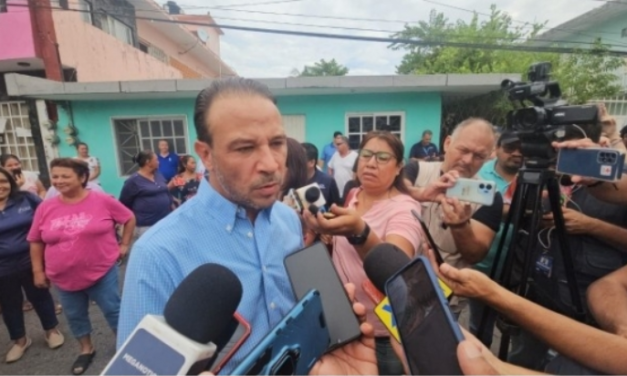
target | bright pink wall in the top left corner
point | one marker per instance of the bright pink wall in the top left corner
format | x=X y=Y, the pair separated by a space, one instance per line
x=16 y=33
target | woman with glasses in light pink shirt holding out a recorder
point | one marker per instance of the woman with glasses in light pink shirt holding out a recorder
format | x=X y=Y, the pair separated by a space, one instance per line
x=377 y=211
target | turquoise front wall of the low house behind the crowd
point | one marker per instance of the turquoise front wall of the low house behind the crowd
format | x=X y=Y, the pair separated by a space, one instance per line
x=323 y=116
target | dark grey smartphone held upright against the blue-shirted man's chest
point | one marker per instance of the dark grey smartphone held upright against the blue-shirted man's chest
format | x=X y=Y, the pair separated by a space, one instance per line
x=312 y=268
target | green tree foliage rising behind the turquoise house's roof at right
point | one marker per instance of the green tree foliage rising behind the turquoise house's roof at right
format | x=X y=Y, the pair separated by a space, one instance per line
x=584 y=75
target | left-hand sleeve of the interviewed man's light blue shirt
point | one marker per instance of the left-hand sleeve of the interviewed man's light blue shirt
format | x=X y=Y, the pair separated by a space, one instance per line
x=148 y=285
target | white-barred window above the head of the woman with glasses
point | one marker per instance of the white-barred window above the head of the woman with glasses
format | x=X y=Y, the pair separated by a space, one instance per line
x=359 y=124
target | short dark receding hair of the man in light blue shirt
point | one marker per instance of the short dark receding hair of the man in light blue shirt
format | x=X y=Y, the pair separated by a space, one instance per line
x=220 y=87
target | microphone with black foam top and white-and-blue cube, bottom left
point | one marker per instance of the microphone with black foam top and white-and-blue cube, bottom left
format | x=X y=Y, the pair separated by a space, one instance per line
x=181 y=342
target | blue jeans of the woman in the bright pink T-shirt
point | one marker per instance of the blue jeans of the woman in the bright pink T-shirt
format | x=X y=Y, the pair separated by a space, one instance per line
x=105 y=292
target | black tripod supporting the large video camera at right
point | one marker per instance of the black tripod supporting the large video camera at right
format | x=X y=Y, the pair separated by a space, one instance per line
x=528 y=194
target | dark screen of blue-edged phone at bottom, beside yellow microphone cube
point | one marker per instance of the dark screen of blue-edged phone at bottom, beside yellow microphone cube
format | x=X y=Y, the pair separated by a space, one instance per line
x=428 y=332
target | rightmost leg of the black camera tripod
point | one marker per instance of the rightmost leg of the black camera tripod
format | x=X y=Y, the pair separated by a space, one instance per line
x=560 y=228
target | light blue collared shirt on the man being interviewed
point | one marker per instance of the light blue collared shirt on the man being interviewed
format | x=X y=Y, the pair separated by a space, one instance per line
x=212 y=229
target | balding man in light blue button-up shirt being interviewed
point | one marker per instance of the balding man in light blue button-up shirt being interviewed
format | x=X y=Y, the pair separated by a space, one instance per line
x=234 y=220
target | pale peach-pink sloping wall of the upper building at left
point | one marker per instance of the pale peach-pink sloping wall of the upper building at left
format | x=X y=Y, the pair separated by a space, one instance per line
x=98 y=56
